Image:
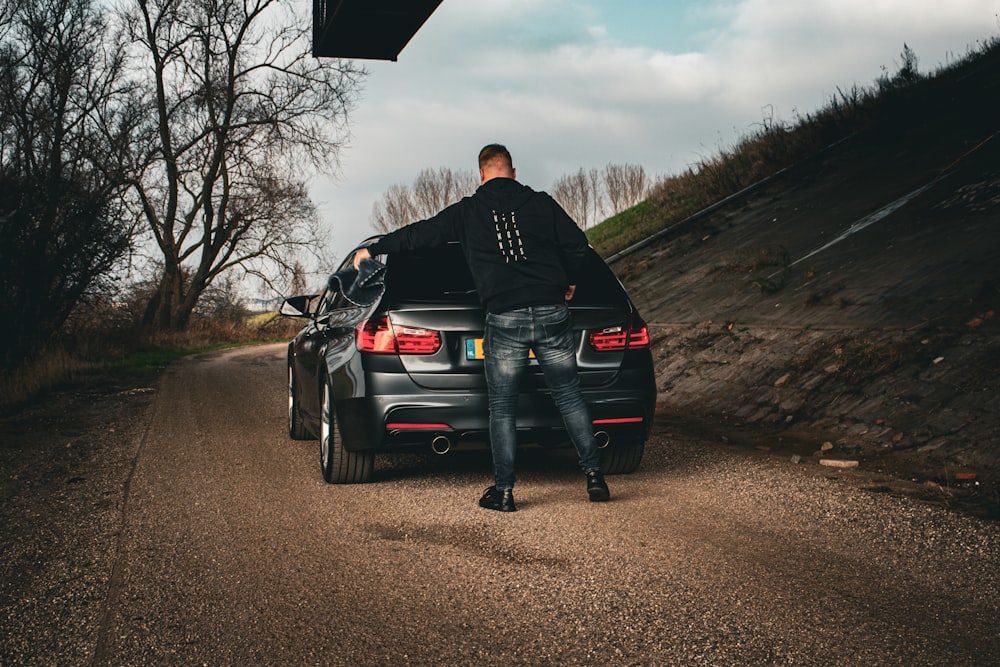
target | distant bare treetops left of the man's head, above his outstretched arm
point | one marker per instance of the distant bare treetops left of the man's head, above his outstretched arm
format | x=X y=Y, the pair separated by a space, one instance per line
x=432 y=191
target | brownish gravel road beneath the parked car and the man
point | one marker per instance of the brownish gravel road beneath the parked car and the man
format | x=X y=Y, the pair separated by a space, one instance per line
x=198 y=533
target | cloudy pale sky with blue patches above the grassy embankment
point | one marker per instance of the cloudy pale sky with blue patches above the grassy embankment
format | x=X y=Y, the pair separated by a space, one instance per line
x=570 y=84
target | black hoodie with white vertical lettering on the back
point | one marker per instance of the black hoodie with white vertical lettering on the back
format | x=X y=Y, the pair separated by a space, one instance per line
x=521 y=246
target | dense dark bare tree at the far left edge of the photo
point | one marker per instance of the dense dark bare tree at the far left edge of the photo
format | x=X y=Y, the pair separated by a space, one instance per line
x=60 y=228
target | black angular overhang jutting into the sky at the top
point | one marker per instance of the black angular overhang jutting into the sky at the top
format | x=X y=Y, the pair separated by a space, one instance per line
x=367 y=29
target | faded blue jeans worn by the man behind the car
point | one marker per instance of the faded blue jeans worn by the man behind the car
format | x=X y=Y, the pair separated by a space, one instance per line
x=549 y=331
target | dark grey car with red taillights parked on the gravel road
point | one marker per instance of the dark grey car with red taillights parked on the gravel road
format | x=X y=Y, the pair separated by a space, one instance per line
x=406 y=374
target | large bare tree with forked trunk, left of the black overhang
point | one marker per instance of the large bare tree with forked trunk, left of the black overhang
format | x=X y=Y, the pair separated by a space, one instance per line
x=239 y=117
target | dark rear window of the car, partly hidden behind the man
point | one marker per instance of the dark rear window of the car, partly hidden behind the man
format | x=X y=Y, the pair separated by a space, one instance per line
x=440 y=275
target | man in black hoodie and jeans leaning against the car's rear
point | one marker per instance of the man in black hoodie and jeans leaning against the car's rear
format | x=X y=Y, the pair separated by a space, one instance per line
x=524 y=253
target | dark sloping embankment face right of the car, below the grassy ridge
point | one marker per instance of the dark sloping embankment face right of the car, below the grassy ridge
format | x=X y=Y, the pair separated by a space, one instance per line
x=849 y=302
